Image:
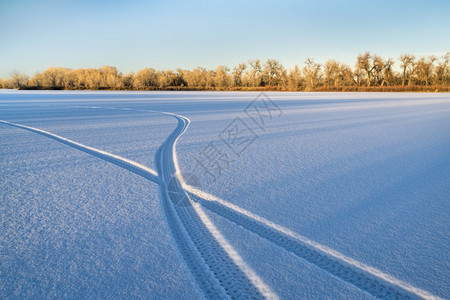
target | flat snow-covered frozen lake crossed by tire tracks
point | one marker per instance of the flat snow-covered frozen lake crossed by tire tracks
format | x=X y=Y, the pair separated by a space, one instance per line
x=188 y=195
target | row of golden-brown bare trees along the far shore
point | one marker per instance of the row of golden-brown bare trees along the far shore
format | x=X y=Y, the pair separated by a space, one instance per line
x=370 y=73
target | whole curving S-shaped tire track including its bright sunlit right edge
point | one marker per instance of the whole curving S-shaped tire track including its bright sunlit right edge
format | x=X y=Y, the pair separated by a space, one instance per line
x=191 y=227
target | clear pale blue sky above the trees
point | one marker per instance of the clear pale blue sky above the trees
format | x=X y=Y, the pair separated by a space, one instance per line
x=161 y=34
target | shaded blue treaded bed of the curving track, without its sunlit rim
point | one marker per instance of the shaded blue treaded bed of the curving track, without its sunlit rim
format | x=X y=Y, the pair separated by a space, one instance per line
x=188 y=229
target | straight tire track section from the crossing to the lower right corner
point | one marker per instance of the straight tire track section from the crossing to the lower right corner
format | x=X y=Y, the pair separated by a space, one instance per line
x=363 y=277
